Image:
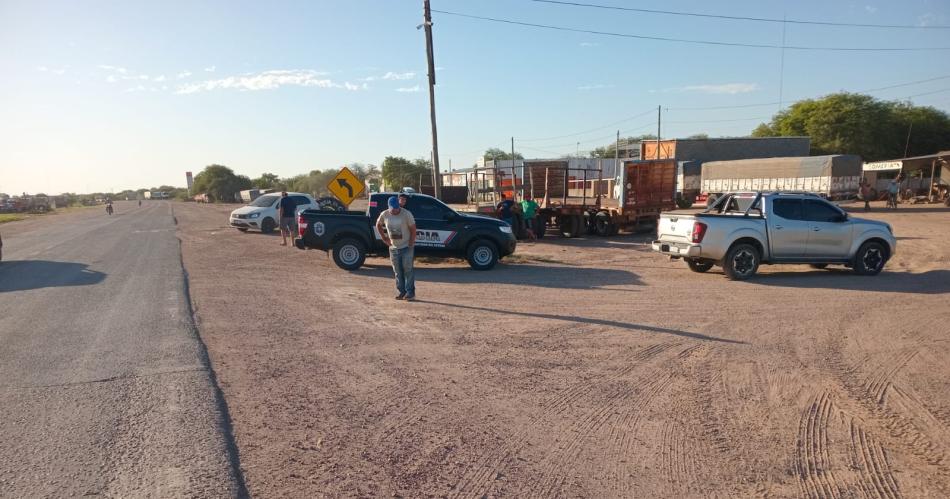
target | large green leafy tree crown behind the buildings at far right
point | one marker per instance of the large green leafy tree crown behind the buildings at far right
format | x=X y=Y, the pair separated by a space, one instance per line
x=846 y=123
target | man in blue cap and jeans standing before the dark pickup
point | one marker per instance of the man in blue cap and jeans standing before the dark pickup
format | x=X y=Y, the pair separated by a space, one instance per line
x=397 y=227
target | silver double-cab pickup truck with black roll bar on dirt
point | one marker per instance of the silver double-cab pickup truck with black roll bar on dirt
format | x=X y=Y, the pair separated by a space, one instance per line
x=745 y=229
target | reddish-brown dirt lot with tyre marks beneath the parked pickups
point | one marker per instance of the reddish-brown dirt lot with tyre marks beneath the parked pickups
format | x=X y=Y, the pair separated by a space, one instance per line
x=582 y=368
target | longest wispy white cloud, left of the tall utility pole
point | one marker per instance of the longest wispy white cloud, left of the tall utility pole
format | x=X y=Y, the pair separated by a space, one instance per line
x=267 y=80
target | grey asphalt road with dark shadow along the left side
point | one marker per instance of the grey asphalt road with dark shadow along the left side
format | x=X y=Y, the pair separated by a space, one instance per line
x=105 y=387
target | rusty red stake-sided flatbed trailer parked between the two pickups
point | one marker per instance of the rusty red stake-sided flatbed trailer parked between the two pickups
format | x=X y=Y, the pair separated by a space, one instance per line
x=575 y=198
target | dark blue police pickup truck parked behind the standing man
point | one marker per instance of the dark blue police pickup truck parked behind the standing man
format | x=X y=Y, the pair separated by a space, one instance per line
x=440 y=231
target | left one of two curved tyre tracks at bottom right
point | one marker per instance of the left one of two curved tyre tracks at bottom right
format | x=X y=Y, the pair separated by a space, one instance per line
x=813 y=461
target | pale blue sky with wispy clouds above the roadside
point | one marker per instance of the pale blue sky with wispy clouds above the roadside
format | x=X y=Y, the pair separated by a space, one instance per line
x=104 y=95
